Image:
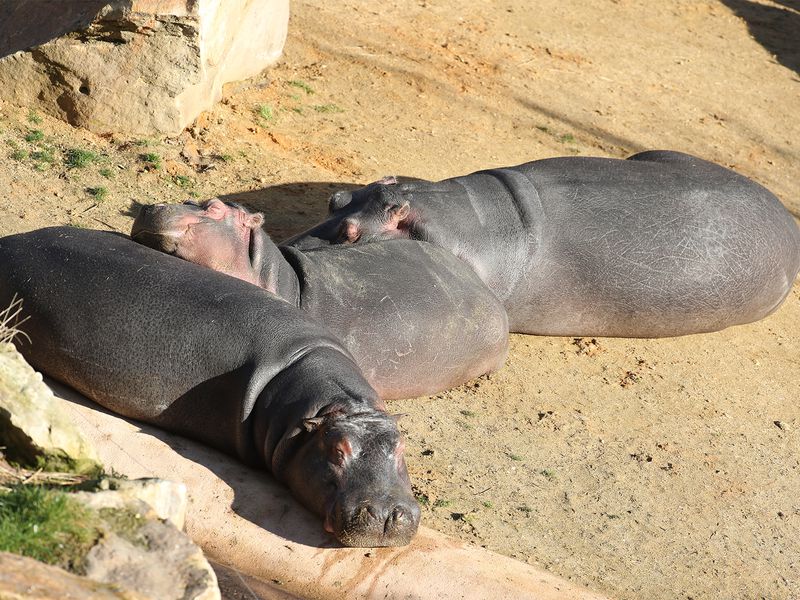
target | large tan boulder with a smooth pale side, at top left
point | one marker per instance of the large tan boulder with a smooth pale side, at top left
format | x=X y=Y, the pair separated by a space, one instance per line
x=135 y=66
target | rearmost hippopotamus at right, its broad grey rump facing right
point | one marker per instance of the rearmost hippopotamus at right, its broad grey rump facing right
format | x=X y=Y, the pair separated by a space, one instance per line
x=660 y=244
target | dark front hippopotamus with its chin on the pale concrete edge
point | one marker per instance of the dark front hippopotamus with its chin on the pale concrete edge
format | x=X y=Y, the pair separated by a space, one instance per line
x=208 y=356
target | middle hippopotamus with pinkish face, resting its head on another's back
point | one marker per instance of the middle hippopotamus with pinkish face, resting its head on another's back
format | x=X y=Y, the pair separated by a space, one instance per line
x=415 y=319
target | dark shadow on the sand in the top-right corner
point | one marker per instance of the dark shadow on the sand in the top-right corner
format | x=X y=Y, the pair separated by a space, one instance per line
x=776 y=29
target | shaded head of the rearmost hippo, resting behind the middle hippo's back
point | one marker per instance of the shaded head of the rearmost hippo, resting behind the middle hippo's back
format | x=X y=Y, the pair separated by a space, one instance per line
x=381 y=210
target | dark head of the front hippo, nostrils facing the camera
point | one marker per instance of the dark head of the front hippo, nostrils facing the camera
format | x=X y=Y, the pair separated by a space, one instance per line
x=351 y=469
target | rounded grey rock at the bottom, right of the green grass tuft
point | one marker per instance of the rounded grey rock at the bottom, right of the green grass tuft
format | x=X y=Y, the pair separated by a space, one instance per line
x=156 y=560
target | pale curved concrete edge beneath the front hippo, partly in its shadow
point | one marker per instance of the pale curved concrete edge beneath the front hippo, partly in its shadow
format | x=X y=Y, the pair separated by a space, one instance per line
x=243 y=519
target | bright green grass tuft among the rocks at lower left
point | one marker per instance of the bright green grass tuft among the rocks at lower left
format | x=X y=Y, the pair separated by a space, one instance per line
x=46 y=525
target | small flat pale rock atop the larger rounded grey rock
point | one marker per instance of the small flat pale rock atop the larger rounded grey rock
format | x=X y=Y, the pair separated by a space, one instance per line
x=165 y=500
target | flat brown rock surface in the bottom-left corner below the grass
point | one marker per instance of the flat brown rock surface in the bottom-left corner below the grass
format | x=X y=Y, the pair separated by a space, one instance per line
x=22 y=577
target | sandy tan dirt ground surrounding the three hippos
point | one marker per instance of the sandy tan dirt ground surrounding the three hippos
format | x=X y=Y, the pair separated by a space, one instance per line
x=640 y=468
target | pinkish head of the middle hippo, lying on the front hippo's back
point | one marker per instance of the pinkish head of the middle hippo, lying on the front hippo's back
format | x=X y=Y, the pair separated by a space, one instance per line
x=219 y=235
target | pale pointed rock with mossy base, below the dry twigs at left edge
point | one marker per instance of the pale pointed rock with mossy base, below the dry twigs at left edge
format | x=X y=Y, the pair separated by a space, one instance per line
x=33 y=427
